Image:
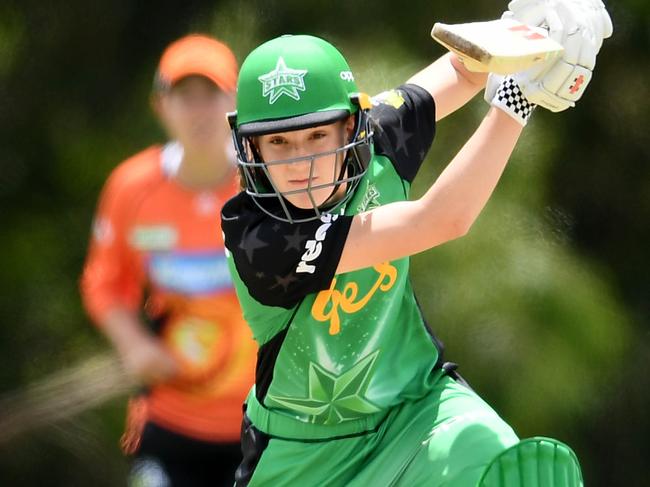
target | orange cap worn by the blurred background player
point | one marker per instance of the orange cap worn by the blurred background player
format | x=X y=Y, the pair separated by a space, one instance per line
x=198 y=55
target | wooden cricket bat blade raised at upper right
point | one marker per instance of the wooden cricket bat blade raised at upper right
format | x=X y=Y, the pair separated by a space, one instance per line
x=501 y=46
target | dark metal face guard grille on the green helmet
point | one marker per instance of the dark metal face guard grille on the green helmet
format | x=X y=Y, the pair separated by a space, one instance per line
x=352 y=158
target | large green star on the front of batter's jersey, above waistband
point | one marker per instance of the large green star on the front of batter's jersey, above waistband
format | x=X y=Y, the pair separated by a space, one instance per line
x=335 y=398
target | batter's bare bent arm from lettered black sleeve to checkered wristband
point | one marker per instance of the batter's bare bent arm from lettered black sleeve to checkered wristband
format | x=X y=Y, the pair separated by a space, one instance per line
x=446 y=211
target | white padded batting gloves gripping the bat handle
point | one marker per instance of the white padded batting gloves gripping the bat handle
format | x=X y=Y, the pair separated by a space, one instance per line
x=580 y=27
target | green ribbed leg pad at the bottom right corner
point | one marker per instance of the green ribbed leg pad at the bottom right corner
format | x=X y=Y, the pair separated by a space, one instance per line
x=534 y=462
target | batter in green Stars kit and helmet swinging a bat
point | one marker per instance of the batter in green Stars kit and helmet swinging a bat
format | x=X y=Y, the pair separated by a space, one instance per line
x=351 y=386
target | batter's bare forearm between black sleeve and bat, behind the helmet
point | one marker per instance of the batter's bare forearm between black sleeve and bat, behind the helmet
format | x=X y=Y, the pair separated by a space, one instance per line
x=450 y=84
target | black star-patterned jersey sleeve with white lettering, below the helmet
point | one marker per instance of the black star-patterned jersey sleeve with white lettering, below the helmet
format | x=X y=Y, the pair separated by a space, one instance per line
x=281 y=262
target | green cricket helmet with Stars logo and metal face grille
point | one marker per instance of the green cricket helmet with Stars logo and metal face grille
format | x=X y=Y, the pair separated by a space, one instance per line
x=293 y=83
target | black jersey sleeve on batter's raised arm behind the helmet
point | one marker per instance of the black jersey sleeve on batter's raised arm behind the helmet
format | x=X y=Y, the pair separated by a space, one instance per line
x=404 y=122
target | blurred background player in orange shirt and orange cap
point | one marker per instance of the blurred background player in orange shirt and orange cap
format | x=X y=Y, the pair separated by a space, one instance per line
x=156 y=240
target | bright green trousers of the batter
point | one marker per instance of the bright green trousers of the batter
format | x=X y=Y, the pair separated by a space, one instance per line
x=445 y=439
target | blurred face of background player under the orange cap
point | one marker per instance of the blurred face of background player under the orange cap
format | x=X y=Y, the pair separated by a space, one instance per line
x=194 y=112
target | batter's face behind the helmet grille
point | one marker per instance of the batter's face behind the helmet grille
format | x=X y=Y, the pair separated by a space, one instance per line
x=292 y=179
